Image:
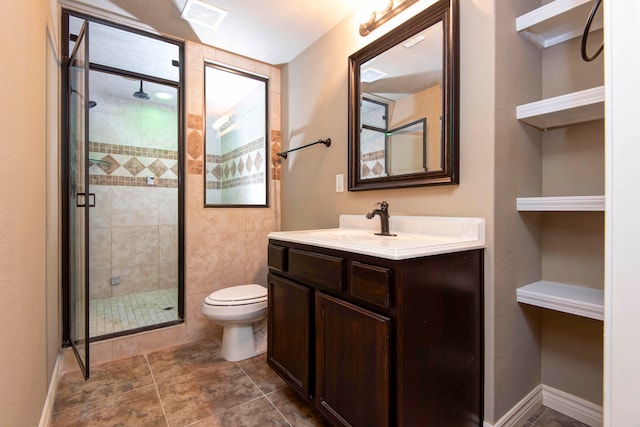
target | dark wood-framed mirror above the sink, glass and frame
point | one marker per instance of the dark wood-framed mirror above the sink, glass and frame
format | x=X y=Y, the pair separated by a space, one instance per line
x=403 y=104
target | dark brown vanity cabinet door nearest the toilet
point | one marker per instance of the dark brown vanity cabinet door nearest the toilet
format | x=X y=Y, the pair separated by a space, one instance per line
x=288 y=337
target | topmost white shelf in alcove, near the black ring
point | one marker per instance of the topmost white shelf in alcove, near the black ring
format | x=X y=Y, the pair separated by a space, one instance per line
x=557 y=22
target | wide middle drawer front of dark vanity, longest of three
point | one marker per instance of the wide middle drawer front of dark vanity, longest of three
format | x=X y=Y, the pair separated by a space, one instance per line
x=316 y=269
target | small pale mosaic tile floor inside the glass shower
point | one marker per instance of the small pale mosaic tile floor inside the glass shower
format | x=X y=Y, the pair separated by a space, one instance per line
x=115 y=314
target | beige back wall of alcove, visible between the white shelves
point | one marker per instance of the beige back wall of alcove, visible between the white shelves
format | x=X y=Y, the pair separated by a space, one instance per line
x=572 y=243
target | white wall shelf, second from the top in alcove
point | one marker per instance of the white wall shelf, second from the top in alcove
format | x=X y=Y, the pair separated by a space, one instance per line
x=577 y=107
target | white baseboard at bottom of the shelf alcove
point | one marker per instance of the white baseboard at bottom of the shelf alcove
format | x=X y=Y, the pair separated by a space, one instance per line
x=565 y=403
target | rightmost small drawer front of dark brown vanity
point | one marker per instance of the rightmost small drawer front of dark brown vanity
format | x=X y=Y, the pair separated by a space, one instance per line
x=371 y=283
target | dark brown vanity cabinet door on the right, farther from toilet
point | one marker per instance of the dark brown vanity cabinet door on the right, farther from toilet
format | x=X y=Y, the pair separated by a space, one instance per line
x=352 y=350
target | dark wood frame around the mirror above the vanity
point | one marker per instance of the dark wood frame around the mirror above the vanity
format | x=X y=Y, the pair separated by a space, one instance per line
x=445 y=11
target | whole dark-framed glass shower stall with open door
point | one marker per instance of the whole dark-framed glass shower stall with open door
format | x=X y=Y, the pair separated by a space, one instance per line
x=124 y=233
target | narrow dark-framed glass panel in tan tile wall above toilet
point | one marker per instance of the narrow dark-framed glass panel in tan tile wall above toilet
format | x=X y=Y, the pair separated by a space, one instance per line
x=235 y=138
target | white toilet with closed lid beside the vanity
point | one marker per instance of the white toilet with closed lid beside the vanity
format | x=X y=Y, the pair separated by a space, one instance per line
x=242 y=312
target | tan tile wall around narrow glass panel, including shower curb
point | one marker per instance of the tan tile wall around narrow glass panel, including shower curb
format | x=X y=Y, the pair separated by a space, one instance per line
x=223 y=247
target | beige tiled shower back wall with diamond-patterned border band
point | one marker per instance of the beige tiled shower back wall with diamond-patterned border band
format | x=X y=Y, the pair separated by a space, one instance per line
x=133 y=228
